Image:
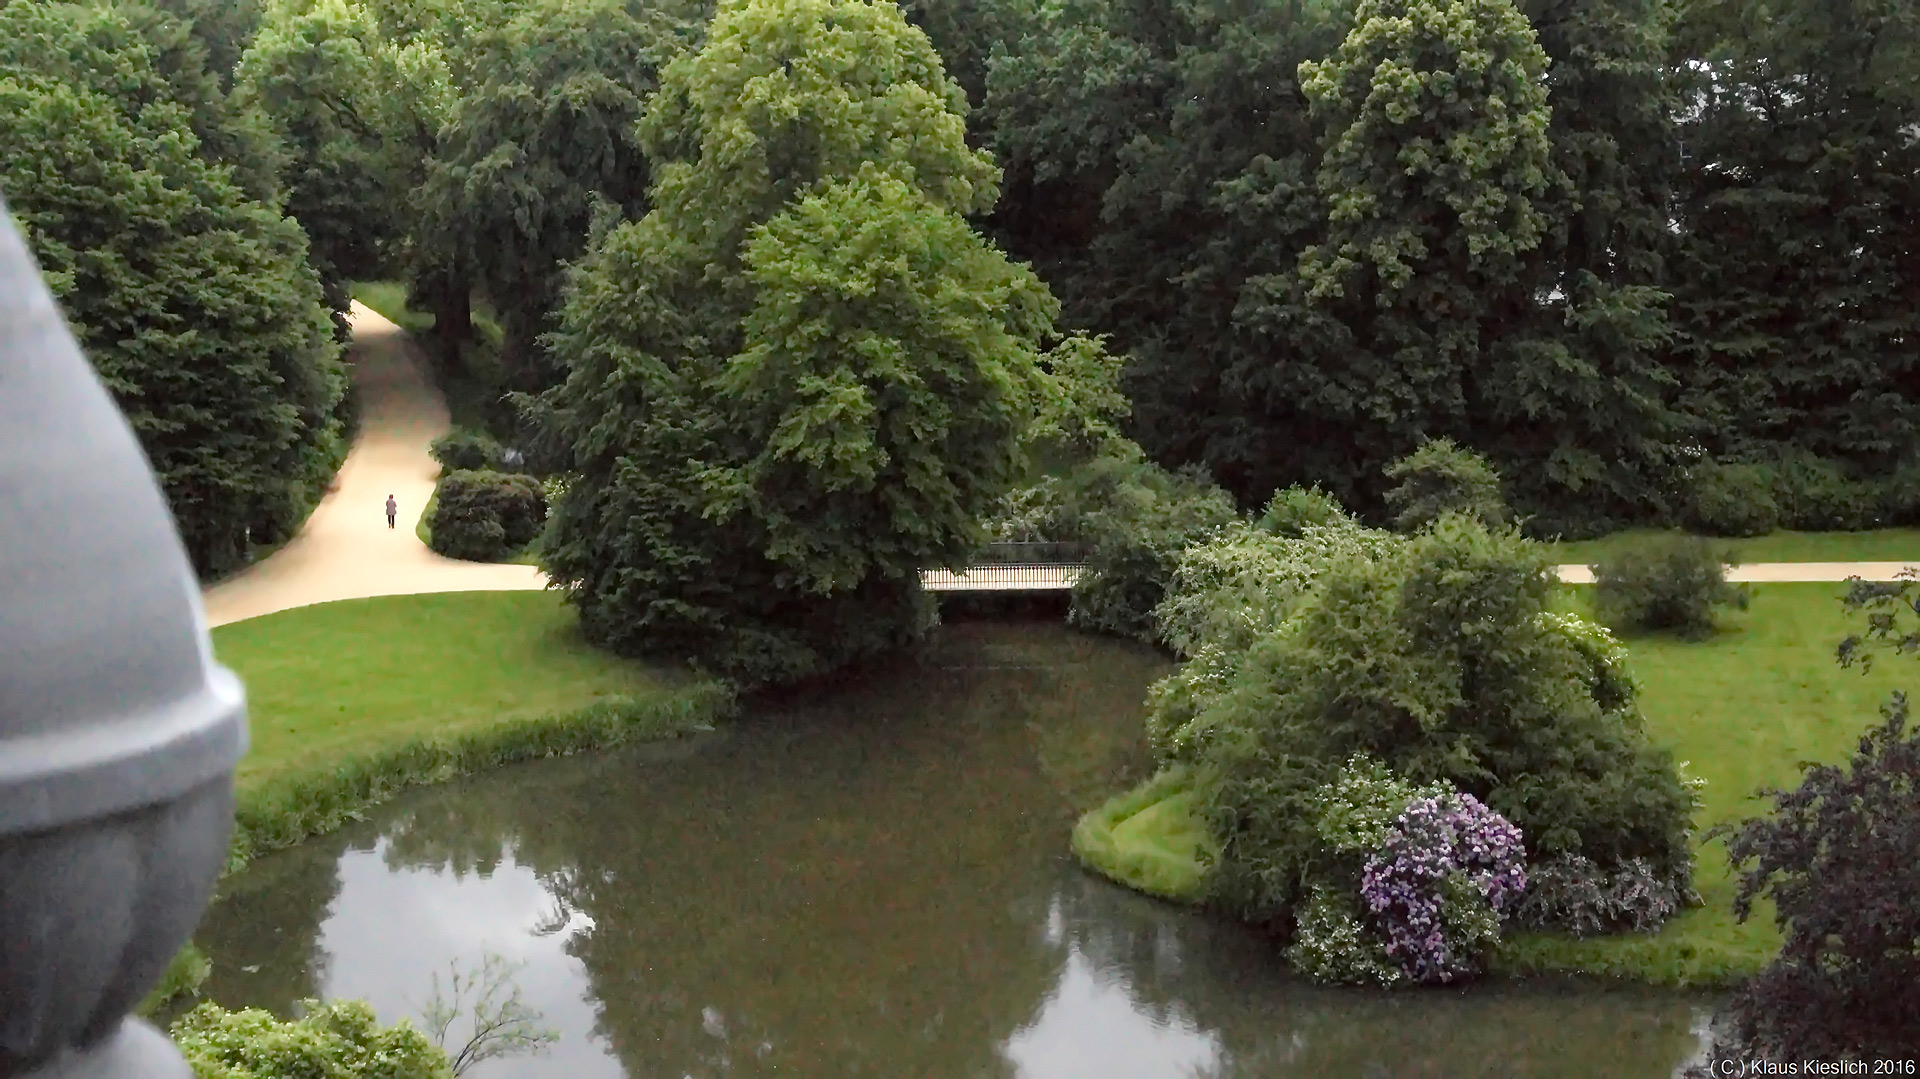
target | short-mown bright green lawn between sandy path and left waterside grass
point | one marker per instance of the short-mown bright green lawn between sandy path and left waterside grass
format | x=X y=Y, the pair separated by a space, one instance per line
x=347 y=679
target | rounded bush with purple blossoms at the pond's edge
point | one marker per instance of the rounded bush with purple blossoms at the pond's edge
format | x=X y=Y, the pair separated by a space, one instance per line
x=1443 y=882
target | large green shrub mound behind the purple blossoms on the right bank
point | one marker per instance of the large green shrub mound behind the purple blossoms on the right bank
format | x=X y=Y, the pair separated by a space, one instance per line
x=1437 y=656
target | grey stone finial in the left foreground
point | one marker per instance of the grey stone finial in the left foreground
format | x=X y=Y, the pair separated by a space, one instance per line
x=118 y=731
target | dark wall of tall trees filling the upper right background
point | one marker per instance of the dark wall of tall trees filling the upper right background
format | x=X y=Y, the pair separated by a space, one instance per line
x=1652 y=243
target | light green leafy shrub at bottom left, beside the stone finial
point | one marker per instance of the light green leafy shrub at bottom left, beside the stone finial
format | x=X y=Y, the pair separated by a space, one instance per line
x=329 y=1042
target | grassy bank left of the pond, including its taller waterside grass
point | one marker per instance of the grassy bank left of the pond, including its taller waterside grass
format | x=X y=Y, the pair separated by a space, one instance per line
x=356 y=702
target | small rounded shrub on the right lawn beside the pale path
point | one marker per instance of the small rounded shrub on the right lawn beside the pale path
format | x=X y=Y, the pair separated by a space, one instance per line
x=1666 y=585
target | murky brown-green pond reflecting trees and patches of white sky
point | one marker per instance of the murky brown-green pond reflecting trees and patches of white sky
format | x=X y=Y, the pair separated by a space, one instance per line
x=871 y=880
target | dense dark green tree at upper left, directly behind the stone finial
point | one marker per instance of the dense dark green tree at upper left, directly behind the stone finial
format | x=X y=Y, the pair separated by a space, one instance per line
x=193 y=300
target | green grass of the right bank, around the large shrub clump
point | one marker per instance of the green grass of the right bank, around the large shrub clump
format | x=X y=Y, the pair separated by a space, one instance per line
x=1742 y=709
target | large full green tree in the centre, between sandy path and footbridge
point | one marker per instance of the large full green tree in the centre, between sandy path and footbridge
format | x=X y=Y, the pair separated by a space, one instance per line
x=802 y=377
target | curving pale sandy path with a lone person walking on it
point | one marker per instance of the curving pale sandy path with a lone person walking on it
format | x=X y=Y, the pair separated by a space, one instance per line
x=347 y=550
